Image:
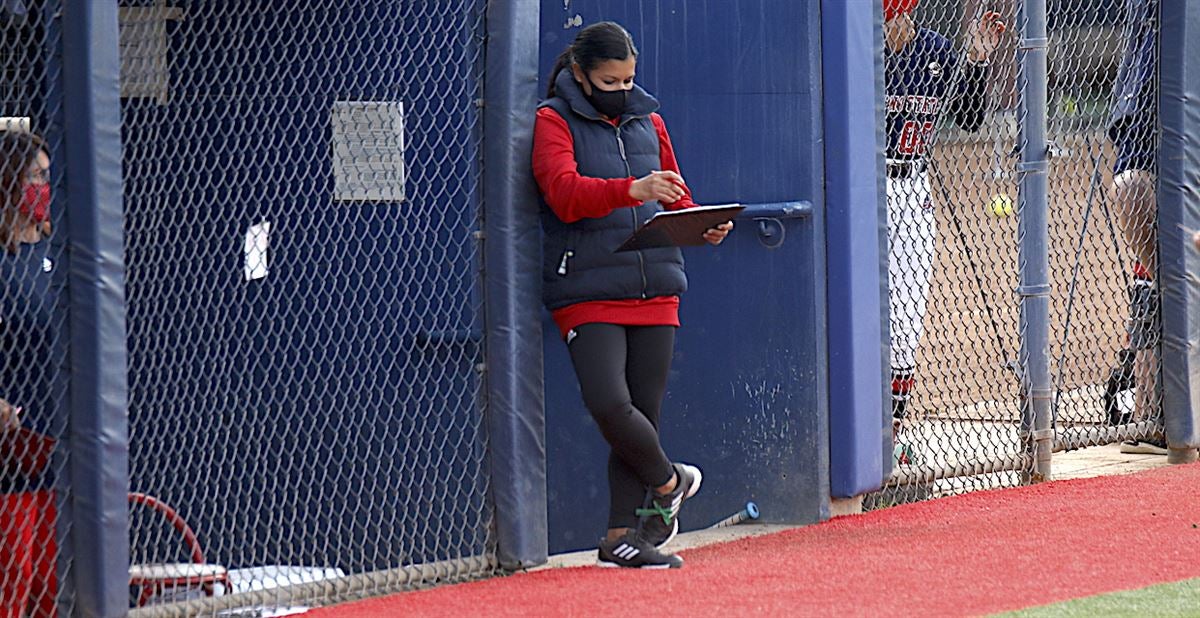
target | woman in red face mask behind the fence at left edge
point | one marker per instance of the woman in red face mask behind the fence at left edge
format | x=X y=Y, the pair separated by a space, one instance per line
x=28 y=547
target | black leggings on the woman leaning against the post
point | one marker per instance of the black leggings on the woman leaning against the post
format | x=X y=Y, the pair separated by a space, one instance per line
x=623 y=376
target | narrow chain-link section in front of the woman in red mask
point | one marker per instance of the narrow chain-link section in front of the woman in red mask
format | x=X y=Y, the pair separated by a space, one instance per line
x=33 y=317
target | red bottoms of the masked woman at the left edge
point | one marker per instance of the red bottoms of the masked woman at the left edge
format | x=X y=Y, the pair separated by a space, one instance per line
x=28 y=553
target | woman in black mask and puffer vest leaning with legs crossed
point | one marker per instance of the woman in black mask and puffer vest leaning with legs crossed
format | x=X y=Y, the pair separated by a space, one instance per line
x=604 y=163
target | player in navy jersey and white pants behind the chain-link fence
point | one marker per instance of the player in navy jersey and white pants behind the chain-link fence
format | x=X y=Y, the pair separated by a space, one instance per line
x=925 y=79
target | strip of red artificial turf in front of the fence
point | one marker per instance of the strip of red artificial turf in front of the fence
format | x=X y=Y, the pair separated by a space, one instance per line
x=970 y=555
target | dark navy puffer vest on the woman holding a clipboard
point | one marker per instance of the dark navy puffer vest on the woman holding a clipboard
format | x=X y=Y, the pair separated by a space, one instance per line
x=579 y=263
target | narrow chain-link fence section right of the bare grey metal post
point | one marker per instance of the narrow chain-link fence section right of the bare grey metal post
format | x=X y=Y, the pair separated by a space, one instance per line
x=1103 y=224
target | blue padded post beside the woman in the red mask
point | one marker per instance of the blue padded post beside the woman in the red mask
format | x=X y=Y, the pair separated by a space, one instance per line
x=99 y=435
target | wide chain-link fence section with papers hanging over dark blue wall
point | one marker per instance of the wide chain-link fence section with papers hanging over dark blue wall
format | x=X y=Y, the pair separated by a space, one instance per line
x=307 y=391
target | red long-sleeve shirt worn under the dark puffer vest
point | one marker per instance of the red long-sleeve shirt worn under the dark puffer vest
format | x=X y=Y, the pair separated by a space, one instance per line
x=573 y=197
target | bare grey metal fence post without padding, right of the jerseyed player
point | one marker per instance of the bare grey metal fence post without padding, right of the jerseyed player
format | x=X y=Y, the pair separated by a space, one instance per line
x=1034 y=235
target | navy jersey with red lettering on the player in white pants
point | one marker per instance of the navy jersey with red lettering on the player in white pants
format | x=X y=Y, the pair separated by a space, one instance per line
x=923 y=81
